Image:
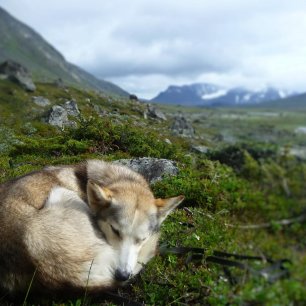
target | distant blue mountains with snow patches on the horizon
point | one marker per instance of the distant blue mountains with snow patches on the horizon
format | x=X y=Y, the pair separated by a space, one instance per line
x=213 y=95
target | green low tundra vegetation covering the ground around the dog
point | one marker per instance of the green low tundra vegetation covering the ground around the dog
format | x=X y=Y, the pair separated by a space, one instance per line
x=249 y=176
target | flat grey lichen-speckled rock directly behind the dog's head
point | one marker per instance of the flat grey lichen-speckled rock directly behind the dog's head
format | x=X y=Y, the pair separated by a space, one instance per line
x=153 y=169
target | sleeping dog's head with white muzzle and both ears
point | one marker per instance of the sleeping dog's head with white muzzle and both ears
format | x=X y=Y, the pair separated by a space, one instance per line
x=130 y=218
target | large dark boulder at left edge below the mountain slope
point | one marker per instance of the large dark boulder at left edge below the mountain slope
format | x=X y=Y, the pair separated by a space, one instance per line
x=18 y=74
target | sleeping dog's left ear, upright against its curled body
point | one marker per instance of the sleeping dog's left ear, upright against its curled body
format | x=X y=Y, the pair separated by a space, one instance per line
x=98 y=197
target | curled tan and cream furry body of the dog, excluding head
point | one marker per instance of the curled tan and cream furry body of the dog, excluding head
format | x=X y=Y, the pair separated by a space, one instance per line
x=58 y=240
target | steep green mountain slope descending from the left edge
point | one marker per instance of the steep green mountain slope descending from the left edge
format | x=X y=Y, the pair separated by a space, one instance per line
x=20 y=43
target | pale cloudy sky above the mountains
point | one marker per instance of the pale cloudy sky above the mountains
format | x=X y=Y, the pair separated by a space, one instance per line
x=146 y=45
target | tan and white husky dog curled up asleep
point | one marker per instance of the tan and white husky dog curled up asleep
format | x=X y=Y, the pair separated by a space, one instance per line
x=92 y=225
